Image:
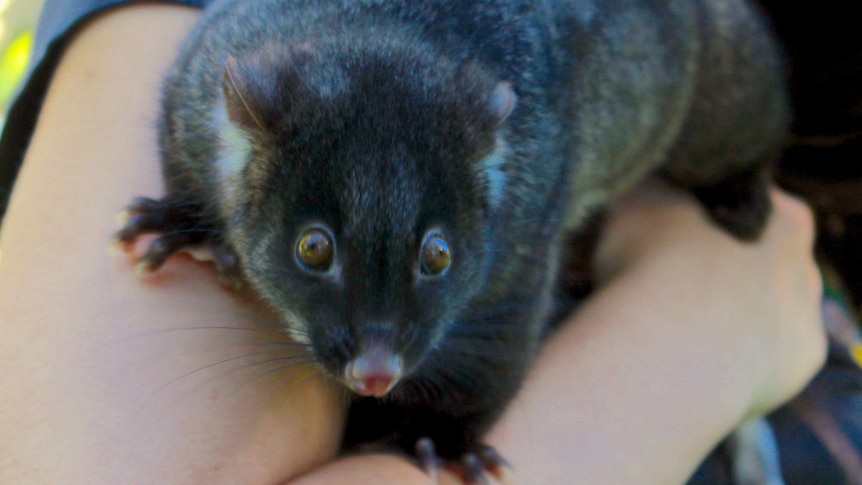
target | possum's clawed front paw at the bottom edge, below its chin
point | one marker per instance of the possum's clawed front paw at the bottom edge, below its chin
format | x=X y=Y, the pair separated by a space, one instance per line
x=474 y=465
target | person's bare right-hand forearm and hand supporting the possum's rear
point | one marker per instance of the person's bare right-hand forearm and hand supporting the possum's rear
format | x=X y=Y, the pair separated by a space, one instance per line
x=692 y=332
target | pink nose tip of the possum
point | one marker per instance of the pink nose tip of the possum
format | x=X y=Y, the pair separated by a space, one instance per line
x=374 y=372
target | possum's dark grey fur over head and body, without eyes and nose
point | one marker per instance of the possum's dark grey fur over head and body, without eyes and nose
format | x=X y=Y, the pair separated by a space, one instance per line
x=376 y=117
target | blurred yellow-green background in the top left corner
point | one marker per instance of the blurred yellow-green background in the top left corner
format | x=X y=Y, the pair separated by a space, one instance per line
x=17 y=18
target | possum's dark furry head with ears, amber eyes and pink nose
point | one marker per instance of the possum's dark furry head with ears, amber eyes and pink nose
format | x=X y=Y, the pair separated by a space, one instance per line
x=357 y=182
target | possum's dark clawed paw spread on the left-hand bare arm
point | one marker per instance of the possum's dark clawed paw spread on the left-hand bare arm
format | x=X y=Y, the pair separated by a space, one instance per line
x=180 y=229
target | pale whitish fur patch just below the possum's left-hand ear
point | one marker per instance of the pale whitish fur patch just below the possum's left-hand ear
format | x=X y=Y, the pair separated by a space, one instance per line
x=234 y=151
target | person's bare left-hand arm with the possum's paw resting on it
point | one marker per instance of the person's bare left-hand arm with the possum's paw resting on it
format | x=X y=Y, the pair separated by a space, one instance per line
x=107 y=378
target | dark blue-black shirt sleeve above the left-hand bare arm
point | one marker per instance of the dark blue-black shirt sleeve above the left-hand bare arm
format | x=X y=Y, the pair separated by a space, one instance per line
x=58 y=20
